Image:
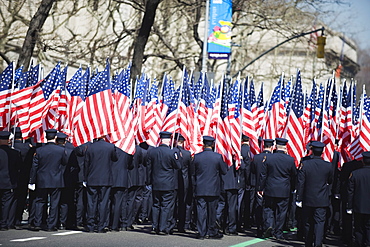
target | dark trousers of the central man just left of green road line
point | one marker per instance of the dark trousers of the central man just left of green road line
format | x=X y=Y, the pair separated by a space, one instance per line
x=206 y=213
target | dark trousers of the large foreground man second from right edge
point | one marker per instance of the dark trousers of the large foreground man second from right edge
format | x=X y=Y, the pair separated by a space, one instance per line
x=314 y=219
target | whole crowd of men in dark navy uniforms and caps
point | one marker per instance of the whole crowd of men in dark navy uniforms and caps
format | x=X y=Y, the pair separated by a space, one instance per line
x=97 y=187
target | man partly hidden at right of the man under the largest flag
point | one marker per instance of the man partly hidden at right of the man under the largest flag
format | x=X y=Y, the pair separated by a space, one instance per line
x=119 y=187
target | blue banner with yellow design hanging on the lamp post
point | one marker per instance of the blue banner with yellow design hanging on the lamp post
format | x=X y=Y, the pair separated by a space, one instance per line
x=219 y=33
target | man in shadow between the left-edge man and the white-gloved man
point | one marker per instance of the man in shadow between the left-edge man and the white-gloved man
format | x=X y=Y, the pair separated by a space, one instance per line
x=21 y=192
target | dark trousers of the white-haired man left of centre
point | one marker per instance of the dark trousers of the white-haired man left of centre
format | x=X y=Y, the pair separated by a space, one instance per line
x=161 y=209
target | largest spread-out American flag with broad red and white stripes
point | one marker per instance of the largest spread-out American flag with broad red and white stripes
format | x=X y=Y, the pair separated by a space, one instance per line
x=96 y=118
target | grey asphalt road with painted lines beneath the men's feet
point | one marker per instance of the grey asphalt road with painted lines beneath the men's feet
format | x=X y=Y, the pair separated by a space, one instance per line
x=140 y=237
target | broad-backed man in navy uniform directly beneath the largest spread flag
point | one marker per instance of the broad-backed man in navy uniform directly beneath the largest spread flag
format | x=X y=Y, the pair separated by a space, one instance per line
x=98 y=163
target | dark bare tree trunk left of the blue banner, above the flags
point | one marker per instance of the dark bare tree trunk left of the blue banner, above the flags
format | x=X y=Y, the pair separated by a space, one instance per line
x=142 y=38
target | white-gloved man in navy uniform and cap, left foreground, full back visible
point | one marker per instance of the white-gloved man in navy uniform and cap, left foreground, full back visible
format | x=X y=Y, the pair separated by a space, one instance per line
x=47 y=177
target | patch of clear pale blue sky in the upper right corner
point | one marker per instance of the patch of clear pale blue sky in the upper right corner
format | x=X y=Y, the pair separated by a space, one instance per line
x=352 y=19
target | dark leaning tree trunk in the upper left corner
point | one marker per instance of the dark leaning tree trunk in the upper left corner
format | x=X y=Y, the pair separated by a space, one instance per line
x=32 y=35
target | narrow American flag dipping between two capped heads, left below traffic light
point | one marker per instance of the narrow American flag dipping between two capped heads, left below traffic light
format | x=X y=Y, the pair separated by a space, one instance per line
x=294 y=127
